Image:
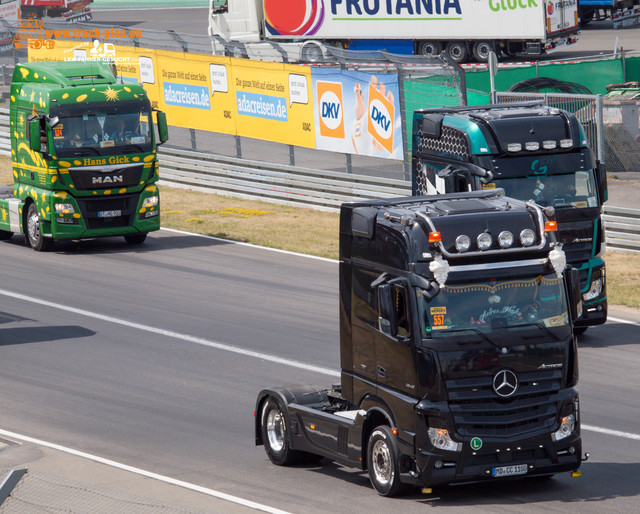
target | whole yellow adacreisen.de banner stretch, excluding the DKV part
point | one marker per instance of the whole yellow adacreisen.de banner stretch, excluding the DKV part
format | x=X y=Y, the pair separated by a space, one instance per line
x=262 y=100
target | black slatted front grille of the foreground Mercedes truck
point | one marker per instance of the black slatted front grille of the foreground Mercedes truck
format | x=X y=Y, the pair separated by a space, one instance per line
x=478 y=412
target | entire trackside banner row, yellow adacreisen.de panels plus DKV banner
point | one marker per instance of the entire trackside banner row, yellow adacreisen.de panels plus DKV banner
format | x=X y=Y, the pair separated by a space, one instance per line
x=328 y=109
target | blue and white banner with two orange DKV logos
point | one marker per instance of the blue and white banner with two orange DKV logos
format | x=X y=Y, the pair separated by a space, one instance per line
x=357 y=113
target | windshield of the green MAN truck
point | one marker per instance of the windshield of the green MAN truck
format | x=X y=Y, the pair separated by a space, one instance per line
x=102 y=134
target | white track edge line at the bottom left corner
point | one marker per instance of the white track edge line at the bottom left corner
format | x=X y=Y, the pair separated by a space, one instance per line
x=211 y=492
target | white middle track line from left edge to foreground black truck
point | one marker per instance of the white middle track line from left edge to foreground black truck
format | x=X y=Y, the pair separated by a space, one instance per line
x=176 y=335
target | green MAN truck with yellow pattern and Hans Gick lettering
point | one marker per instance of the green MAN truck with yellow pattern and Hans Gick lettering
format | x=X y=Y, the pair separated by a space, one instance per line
x=83 y=149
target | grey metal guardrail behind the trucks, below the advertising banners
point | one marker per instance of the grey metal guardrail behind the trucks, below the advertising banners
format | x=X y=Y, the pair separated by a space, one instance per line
x=317 y=189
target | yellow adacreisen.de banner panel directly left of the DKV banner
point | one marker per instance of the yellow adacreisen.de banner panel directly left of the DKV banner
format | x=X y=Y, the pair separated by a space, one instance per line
x=273 y=102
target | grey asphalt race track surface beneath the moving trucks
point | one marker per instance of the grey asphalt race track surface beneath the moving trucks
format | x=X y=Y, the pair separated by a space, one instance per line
x=153 y=357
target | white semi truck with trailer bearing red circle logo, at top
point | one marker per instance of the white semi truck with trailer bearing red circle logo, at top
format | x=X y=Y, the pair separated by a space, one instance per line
x=465 y=29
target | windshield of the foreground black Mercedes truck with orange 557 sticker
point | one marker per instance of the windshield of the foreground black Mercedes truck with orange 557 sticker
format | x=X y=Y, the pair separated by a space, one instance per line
x=491 y=306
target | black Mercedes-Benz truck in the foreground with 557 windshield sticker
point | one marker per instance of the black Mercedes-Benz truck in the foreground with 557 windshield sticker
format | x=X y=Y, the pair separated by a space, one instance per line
x=456 y=345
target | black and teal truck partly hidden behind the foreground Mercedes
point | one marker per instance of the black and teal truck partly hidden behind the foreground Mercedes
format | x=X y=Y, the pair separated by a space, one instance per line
x=534 y=153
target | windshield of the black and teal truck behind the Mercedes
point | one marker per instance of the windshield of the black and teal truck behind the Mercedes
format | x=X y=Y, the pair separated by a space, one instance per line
x=570 y=190
